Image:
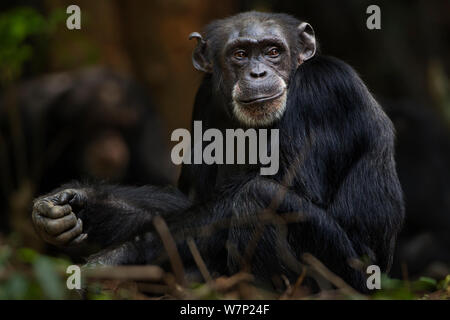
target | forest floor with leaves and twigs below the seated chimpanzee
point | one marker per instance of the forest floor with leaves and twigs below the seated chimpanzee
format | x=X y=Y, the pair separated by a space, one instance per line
x=26 y=274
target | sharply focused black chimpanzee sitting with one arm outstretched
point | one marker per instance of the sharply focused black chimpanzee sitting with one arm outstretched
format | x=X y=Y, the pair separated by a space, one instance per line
x=336 y=194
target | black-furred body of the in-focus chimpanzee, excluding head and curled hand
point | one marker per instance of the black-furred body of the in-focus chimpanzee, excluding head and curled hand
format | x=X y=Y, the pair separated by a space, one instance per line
x=336 y=195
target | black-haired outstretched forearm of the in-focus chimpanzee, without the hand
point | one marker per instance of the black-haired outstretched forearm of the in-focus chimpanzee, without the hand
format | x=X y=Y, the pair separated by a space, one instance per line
x=115 y=214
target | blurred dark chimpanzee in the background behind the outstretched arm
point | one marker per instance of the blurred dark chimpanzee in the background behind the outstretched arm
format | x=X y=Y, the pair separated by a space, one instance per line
x=92 y=123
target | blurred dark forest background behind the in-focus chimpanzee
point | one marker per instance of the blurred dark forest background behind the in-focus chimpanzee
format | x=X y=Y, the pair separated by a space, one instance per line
x=100 y=102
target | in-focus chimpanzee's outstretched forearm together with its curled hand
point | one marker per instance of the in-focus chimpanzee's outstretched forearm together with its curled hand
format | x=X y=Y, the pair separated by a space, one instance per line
x=104 y=214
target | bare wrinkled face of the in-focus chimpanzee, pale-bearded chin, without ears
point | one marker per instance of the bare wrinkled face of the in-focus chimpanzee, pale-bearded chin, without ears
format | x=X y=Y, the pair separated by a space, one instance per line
x=257 y=64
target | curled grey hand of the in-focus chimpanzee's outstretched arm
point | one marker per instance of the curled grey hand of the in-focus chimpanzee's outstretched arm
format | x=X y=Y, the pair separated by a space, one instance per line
x=55 y=220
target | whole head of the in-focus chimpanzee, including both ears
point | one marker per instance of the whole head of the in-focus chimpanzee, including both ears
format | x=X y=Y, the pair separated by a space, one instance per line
x=254 y=58
